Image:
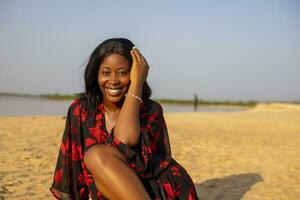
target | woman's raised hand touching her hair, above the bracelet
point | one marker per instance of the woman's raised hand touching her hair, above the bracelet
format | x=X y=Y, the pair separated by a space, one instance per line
x=139 y=68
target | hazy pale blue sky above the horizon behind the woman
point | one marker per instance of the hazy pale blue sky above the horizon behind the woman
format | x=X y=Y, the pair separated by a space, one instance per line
x=219 y=50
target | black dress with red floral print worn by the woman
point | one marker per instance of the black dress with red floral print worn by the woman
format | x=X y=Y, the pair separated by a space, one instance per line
x=151 y=159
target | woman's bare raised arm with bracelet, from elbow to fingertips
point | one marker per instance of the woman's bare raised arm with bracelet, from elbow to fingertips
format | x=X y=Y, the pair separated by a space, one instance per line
x=127 y=128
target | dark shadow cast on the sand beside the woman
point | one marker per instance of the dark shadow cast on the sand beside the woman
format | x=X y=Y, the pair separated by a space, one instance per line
x=232 y=187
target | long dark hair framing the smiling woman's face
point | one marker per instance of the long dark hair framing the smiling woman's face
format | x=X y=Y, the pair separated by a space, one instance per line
x=93 y=95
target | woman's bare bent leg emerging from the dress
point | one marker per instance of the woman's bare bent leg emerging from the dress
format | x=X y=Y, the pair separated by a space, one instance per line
x=113 y=178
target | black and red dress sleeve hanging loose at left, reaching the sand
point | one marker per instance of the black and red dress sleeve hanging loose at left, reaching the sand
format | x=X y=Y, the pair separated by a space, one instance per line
x=68 y=181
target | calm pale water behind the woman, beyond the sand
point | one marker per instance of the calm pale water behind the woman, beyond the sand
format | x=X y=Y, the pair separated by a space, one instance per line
x=12 y=106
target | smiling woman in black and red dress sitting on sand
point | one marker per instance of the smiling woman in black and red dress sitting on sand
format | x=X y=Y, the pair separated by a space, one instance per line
x=115 y=144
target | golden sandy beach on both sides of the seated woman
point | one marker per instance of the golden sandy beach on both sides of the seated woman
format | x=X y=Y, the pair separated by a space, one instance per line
x=253 y=154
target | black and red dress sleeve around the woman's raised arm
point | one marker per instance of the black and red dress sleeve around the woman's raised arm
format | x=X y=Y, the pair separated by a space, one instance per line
x=152 y=154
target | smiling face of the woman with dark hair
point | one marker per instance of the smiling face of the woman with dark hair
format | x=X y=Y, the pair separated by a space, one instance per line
x=114 y=78
